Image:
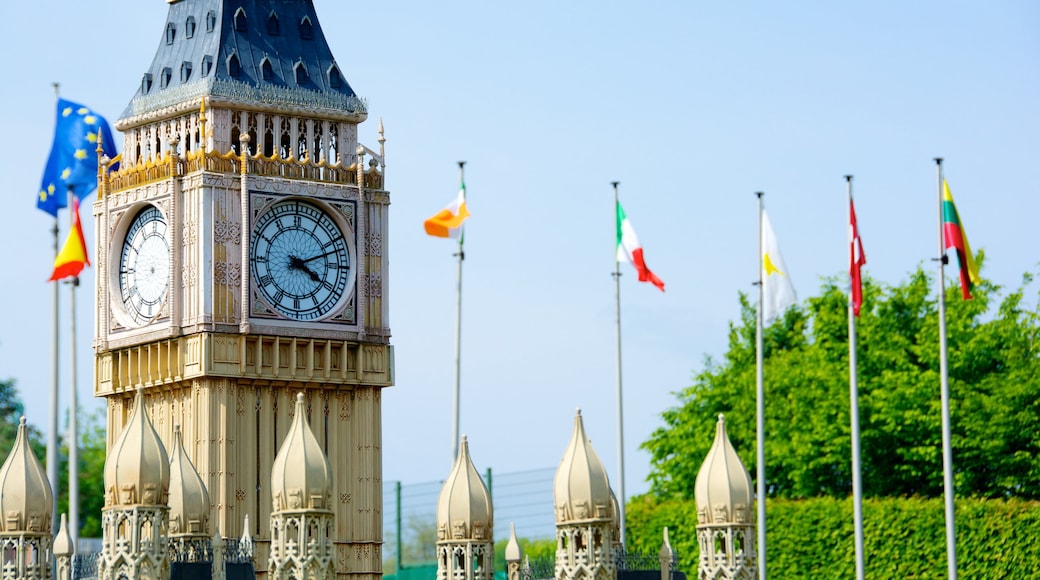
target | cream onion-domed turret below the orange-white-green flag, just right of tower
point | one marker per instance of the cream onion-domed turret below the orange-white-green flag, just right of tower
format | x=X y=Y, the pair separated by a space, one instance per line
x=465 y=524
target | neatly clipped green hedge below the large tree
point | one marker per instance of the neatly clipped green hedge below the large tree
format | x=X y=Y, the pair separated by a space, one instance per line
x=904 y=538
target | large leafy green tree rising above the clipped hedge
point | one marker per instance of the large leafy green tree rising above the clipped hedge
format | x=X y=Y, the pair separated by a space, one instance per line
x=995 y=384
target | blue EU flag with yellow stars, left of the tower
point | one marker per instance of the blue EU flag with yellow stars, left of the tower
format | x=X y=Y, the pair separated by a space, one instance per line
x=73 y=162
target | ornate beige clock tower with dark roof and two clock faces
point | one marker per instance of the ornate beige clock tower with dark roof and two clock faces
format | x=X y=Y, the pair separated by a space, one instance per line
x=243 y=259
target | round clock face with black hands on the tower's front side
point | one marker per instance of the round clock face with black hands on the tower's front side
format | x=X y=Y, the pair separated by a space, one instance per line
x=300 y=260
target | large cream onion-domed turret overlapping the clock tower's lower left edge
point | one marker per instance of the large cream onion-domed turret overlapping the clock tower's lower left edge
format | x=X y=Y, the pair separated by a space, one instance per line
x=136 y=519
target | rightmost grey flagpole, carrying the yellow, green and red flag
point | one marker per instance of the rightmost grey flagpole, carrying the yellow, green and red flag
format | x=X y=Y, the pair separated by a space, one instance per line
x=948 y=453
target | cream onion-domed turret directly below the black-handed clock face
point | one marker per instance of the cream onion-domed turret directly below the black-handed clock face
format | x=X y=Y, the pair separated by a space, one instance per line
x=302 y=522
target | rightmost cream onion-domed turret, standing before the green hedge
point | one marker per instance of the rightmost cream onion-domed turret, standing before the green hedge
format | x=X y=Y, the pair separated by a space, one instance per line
x=725 y=521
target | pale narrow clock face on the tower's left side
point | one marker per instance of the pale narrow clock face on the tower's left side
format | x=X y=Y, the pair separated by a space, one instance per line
x=145 y=266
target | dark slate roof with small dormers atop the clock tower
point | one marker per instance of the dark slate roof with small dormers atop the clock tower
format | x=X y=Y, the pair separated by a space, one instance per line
x=269 y=52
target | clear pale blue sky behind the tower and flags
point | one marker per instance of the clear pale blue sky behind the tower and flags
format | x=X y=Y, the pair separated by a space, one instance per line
x=693 y=107
